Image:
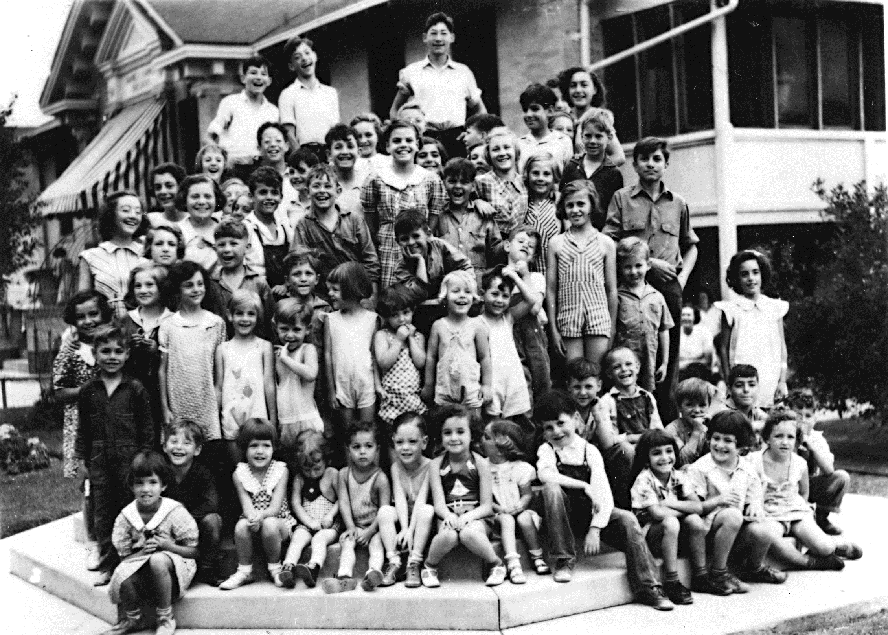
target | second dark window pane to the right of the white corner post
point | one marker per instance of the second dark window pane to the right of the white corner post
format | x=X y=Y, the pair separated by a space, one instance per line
x=794 y=85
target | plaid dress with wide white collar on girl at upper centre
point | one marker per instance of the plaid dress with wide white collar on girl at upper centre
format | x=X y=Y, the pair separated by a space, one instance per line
x=386 y=195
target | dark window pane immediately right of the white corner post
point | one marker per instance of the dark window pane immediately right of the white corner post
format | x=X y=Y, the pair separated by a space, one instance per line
x=750 y=71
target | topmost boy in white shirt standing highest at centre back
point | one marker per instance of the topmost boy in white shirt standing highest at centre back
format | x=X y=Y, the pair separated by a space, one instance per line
x=445 y=90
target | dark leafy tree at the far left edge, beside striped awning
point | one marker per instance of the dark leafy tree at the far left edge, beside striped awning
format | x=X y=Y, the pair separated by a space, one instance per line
x=17 y=216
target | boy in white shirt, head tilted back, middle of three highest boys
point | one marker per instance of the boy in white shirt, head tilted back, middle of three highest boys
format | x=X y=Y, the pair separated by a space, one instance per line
x=308 y=107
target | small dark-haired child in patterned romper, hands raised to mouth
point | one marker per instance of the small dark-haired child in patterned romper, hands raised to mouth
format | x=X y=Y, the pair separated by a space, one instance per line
x=400 y=354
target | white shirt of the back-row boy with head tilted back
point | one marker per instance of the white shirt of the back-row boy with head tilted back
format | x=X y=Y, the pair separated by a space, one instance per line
x=312 y=110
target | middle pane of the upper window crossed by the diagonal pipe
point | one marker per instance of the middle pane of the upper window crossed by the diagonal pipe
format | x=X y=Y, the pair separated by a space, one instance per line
x=656 y=82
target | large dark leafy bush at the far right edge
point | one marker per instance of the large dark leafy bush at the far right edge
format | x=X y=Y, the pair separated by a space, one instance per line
x=838 y=335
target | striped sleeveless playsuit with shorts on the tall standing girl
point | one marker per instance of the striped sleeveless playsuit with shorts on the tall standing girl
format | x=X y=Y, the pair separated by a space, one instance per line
x=582 y=301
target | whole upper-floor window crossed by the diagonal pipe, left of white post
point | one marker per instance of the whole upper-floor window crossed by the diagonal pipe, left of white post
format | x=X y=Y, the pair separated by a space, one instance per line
x=667 y=89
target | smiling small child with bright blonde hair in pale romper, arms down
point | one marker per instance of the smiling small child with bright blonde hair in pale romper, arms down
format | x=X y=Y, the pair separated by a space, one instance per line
x=458 y=366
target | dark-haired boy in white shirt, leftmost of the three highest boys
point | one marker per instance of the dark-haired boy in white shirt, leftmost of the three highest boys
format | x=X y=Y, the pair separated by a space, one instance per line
x=240 y=115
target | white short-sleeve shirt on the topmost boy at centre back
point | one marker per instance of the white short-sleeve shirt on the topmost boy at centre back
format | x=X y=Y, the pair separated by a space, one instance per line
x=442 y=93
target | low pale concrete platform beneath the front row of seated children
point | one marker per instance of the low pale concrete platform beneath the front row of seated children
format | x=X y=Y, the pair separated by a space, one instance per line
x=597 y=598
